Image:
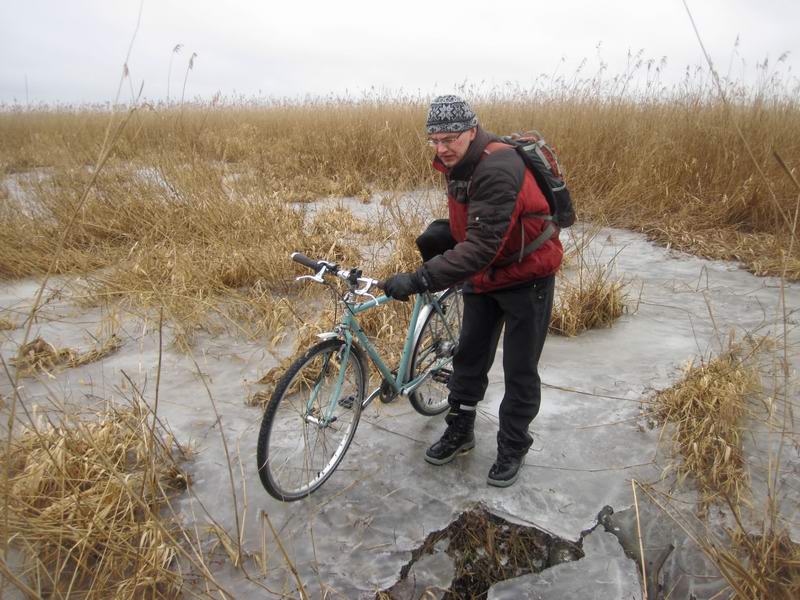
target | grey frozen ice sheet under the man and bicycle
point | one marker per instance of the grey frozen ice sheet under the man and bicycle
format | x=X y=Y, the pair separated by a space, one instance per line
x=352 y=537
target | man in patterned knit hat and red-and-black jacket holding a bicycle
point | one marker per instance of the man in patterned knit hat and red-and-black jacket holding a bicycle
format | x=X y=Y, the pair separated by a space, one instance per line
x=498 y=246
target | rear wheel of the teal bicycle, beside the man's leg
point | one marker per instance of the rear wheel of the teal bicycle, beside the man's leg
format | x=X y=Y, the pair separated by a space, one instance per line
x=434 y=342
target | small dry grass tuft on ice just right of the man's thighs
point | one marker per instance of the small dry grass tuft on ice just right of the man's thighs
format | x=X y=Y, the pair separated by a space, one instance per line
x=596 y=300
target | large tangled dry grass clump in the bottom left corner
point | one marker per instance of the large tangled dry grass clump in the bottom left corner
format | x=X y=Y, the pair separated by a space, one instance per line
x=83 y=505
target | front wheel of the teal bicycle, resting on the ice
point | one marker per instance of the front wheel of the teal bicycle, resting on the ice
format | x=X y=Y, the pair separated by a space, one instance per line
x=308 y=425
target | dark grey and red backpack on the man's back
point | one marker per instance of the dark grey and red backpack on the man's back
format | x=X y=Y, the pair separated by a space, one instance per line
x=541 y=160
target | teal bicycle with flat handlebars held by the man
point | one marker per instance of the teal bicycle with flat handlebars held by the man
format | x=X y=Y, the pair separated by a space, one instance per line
x=313 y=412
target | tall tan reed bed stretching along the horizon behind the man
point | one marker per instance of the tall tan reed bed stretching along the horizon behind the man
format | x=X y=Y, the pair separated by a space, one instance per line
x=665 y=163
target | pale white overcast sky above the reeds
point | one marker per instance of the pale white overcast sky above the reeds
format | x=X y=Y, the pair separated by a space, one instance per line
x=73 y=51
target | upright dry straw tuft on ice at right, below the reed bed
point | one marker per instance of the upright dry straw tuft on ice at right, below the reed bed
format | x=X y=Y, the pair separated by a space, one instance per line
x=707 y=407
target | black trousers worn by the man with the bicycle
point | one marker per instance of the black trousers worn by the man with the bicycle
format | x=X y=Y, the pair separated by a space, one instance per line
x=525 y=312
